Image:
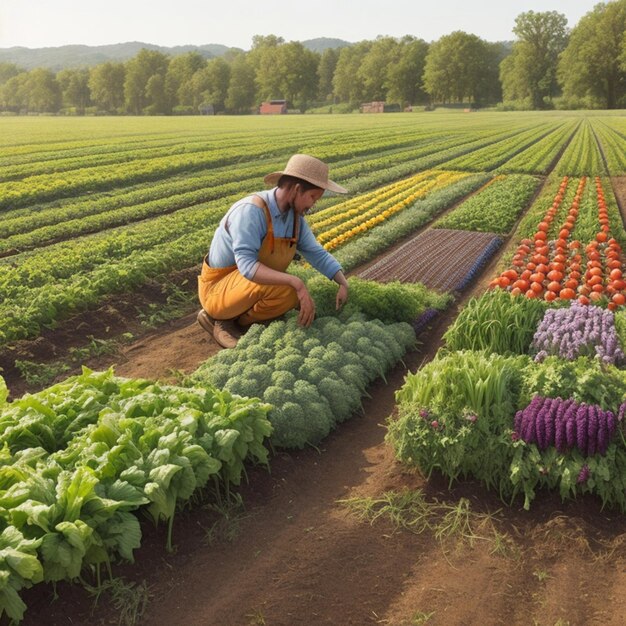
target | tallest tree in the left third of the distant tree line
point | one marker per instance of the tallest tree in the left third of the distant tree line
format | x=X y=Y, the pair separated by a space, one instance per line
x=139 y=71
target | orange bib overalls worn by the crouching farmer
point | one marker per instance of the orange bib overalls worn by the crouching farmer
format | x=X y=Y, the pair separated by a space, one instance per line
x=226 y=294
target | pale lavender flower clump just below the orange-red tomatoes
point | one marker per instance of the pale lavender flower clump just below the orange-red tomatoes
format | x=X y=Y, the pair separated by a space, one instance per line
x=578 y=330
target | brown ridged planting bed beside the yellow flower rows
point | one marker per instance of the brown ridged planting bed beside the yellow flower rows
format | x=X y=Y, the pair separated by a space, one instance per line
x=440 y=258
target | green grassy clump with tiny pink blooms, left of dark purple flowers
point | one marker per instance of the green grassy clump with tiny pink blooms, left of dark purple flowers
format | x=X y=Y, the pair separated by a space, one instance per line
x=455 y=416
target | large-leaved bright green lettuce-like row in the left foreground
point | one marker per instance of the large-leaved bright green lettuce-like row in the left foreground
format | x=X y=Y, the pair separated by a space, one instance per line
x=81 y=457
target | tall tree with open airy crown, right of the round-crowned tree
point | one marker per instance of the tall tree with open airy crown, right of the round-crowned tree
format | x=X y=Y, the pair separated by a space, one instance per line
x=531 y=70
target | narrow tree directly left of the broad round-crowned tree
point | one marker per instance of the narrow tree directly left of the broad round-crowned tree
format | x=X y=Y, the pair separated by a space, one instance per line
x=404 y=77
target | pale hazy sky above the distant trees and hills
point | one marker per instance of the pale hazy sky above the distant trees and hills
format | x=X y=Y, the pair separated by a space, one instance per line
x=43 y=23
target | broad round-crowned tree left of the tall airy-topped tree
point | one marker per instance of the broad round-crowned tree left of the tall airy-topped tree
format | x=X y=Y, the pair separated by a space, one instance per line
x=457 y=68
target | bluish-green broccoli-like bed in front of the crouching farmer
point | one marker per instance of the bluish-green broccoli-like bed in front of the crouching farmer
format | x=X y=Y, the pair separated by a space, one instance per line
x=315 y=377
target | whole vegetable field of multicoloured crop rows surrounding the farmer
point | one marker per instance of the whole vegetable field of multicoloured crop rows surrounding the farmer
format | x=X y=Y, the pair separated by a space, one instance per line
x=526 y=394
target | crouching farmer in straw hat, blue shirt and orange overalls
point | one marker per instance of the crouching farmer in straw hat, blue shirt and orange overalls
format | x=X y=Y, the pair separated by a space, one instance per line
x=244 y=278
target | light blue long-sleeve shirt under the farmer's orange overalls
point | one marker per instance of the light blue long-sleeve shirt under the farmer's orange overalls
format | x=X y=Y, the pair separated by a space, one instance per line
x=247 y=227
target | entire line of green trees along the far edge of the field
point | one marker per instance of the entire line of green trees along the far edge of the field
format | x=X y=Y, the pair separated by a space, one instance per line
x=548 y=65
